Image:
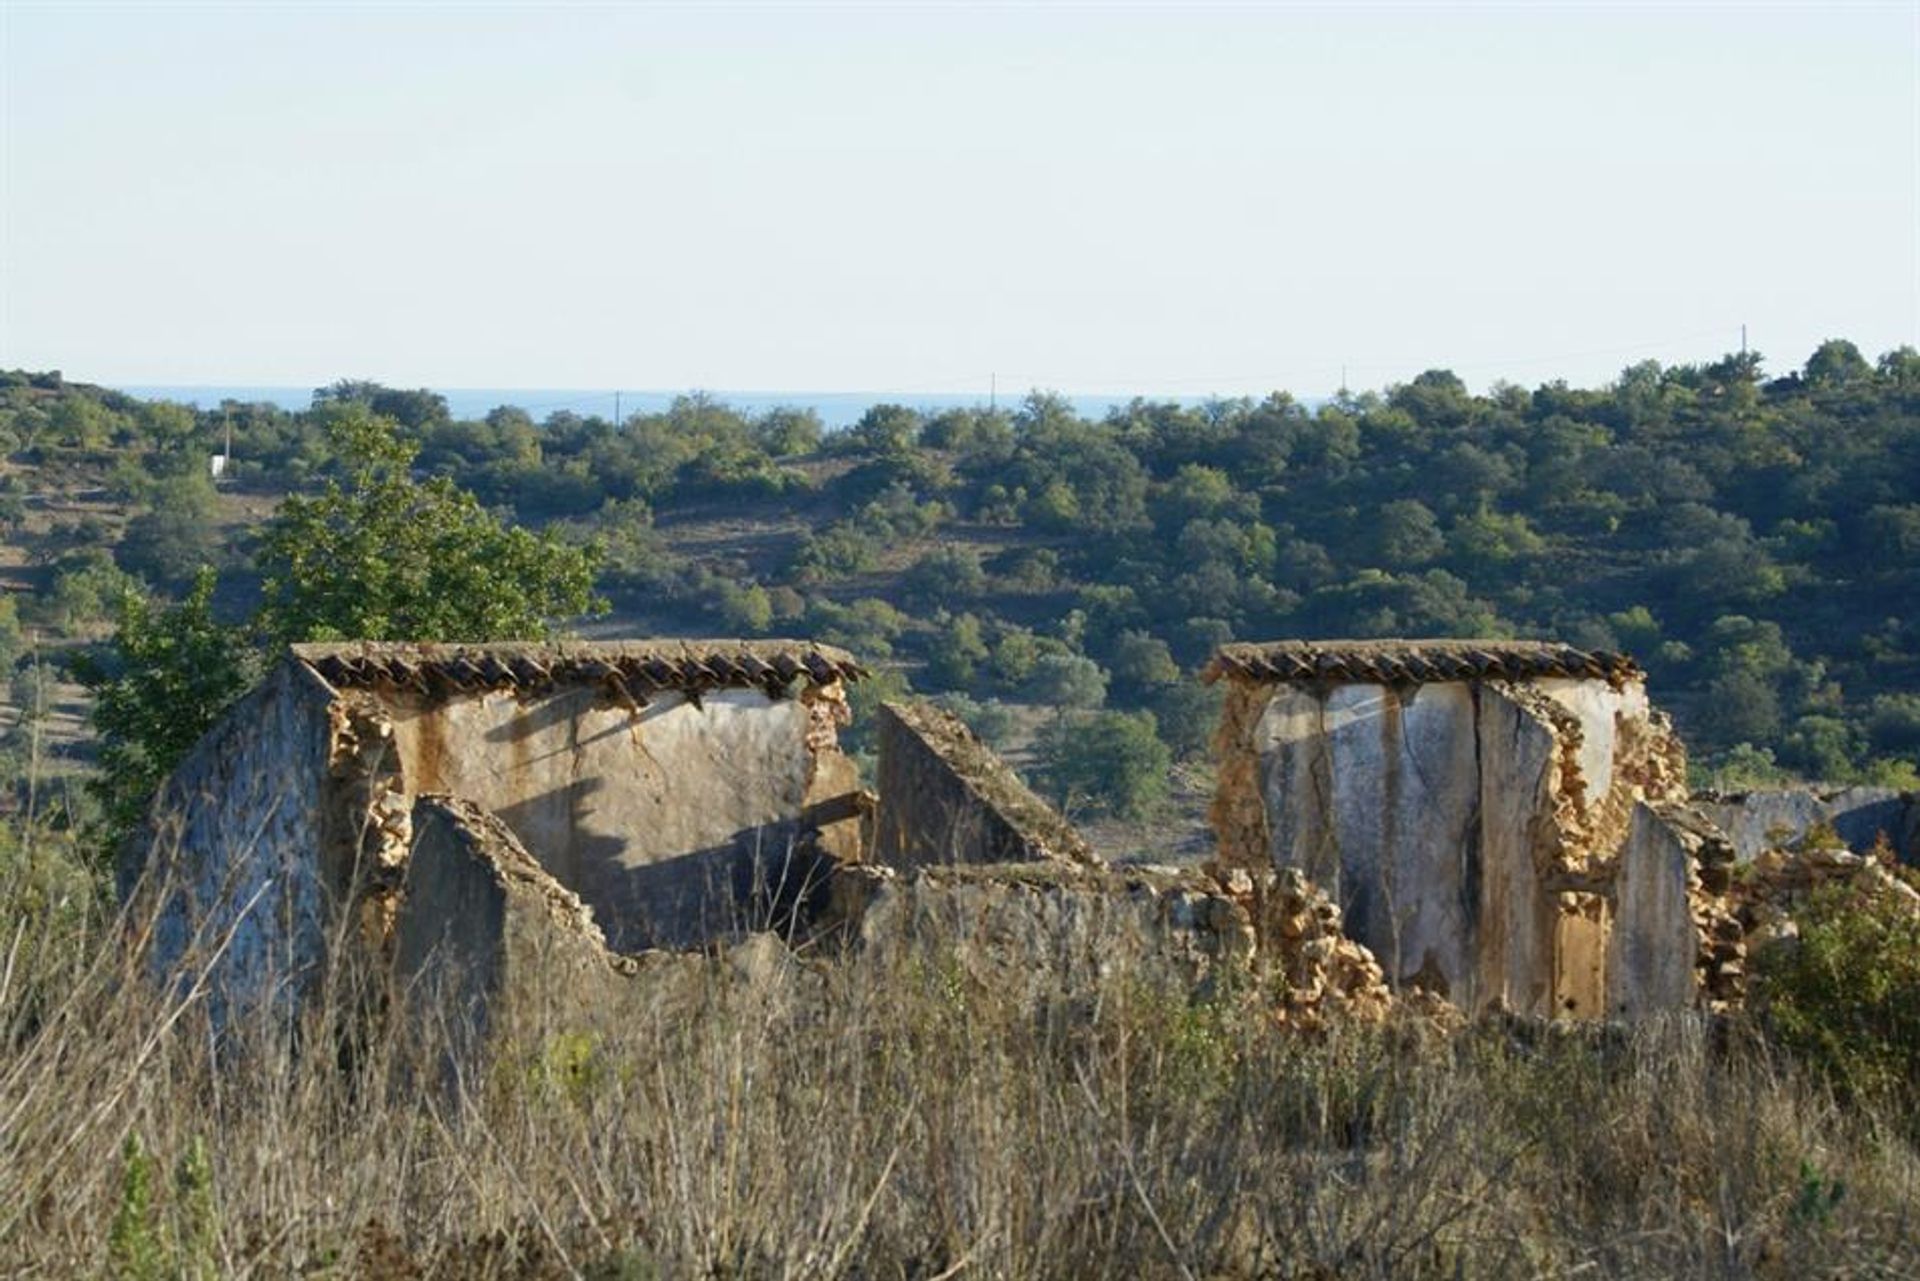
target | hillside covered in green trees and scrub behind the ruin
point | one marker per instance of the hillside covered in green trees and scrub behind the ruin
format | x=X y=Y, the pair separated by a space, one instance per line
x=1754 y=541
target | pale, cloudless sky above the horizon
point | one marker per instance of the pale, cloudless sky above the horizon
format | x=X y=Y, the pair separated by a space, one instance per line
x=1174 y=201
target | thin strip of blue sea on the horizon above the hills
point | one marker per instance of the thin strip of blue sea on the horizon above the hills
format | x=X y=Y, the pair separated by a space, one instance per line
x=834 y=408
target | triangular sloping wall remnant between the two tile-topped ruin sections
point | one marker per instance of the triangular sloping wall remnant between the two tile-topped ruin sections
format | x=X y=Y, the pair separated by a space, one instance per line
x=948 y=798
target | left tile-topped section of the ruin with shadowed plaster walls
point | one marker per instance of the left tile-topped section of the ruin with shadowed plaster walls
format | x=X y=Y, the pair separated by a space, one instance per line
x=671 y=786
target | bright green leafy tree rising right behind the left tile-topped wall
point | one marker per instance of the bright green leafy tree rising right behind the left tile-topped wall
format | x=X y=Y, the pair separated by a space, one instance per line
x=391 y=558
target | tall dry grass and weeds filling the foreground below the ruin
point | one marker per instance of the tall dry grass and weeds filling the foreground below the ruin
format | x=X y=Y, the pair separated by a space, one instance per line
x=836 y=1121
